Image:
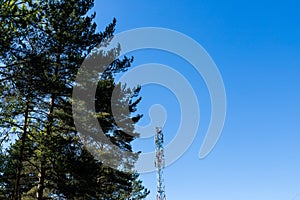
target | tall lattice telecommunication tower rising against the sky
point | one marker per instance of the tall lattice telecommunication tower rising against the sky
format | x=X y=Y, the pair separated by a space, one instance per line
x=160 y=163
